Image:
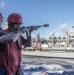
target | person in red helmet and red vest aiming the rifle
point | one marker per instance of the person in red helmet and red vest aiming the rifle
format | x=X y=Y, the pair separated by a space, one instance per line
x=11 y=44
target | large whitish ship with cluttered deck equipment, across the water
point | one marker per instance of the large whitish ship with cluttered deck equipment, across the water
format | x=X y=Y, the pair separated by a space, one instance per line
x=55 y=47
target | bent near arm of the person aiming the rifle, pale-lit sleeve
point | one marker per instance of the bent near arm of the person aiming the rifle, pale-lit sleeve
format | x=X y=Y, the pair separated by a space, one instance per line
x=10 y=38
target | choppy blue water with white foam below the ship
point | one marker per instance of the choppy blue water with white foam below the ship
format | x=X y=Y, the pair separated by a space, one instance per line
x=47 y=66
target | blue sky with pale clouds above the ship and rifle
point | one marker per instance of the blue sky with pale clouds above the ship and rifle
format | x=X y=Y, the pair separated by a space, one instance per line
x=59 y=14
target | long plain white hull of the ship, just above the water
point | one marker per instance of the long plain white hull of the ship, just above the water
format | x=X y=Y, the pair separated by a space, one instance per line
x=51 y=54
